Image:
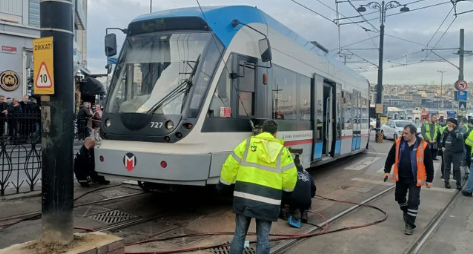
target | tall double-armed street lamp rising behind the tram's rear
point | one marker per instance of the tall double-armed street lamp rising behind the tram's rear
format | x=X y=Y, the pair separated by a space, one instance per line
x=383 y=7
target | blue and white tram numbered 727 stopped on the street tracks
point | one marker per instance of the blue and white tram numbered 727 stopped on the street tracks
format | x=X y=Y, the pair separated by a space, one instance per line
x=188 y=81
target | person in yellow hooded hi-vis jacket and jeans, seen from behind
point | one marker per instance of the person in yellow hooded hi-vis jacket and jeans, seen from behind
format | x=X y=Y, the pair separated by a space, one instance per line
x=261 y=169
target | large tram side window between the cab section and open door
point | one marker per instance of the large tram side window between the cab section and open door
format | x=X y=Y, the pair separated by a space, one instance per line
x=284 y=94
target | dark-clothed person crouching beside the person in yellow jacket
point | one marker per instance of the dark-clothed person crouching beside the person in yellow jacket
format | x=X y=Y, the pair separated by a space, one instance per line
x=300 y=200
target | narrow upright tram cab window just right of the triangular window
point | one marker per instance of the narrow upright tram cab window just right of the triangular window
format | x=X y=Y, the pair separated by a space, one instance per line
x=246 y=88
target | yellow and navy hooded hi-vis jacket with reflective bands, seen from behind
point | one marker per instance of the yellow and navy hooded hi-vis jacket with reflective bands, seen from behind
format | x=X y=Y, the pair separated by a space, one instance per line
x=261 y=168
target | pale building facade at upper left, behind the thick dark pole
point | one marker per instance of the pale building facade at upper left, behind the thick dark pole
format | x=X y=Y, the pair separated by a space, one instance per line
x=19 y=25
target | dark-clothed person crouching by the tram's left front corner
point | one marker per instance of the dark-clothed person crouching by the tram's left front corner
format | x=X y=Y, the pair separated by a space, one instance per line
x=84 y=165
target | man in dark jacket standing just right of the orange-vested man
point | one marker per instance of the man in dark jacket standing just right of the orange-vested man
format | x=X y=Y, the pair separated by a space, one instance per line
x=452 y=147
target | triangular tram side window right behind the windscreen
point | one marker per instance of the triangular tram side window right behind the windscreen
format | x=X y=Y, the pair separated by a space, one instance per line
x=220 y=106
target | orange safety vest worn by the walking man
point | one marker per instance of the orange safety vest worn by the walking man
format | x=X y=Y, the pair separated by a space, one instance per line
x=420 y=167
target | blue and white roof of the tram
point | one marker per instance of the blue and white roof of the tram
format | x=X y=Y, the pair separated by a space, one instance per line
x=220 y=18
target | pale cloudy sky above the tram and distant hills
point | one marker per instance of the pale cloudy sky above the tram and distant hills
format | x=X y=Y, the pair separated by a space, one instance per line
x=415 y=42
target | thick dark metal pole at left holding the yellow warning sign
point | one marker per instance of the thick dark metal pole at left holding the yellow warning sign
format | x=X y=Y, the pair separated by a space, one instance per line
x=57 y=116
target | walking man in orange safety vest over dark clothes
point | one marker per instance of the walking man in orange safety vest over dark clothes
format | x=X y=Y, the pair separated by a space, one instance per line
x=413 y=168
